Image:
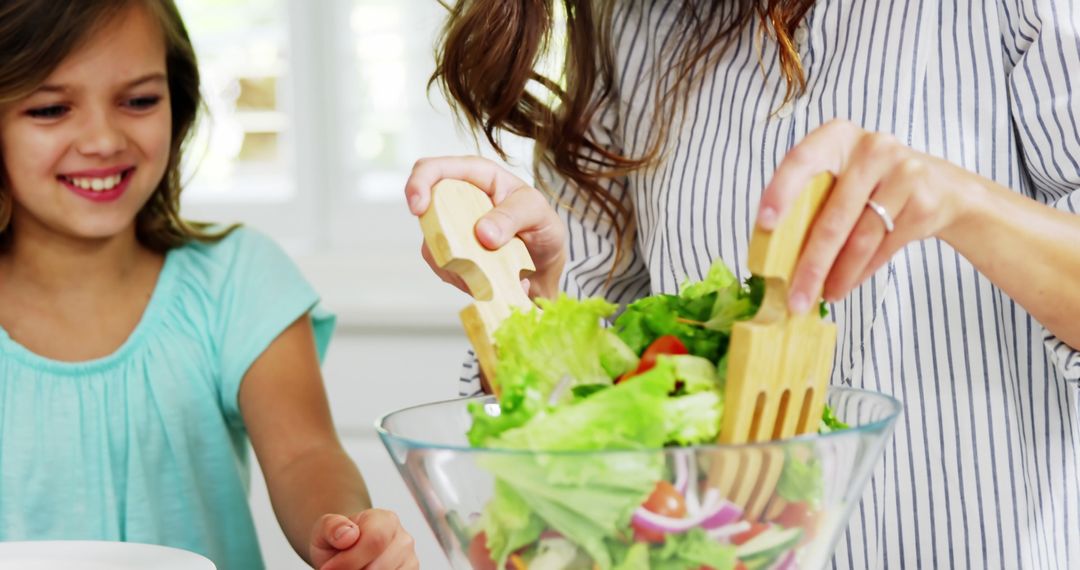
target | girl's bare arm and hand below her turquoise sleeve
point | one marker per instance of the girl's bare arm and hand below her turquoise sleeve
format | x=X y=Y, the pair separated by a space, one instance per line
x=318 y=494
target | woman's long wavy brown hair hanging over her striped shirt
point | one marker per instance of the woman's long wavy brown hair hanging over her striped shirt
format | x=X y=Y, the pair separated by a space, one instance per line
x=490 y=51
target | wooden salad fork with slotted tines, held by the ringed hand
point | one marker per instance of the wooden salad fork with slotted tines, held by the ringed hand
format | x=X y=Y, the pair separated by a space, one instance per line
x=779 y=364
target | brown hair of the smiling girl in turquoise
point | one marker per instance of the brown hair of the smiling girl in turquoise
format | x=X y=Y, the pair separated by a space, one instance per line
x=36 y=36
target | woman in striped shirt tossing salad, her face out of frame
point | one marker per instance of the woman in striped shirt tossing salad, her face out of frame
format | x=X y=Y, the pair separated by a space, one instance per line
x=683 y=124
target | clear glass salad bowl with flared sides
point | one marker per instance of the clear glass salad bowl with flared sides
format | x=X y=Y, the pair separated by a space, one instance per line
x=780 y=505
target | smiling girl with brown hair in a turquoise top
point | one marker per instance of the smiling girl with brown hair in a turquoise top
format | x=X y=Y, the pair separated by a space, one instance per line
x=140 y=352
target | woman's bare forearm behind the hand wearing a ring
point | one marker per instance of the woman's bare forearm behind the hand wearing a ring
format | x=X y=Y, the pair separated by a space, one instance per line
x=1029 y=250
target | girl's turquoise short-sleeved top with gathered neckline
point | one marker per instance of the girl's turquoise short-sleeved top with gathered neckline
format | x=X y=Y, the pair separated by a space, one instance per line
x=147 y=445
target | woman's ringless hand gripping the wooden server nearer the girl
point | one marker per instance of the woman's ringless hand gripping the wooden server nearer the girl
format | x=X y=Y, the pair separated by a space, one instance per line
x=520 y=210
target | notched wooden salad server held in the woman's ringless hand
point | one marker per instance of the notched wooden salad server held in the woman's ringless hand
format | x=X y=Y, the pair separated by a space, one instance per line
x=494 y=277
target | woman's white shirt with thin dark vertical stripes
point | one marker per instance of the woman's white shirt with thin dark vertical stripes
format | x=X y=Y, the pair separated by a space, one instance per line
x=983 y=470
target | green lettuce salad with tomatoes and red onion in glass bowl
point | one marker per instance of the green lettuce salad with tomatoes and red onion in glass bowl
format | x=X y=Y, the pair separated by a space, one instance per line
x=655 y=381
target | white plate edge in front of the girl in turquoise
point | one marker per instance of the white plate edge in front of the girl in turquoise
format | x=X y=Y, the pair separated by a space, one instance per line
x=92 y=555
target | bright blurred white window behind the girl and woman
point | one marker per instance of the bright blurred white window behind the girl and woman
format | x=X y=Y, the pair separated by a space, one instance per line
x=318 y=112
